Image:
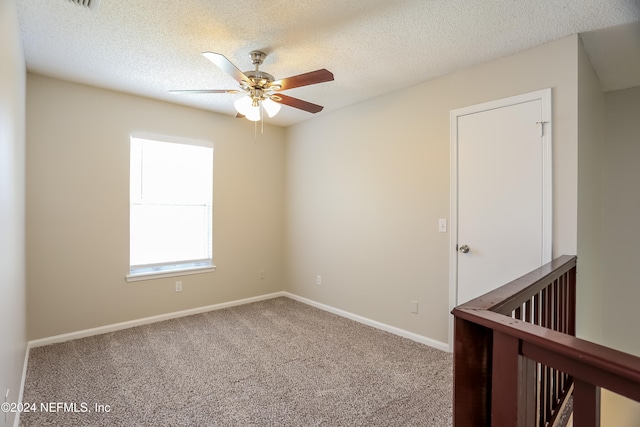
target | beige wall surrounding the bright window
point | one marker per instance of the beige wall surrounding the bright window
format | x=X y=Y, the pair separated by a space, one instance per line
x=77 y=207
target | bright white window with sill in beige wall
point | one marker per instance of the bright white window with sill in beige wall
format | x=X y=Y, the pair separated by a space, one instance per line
x=171 y=198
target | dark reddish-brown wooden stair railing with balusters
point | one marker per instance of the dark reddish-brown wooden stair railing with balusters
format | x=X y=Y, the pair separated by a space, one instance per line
x=516 y=356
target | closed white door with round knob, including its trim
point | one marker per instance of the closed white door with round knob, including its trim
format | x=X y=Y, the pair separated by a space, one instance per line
x=501 y=192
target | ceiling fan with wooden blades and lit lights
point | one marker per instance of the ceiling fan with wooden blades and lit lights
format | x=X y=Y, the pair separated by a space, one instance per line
x=262 y=89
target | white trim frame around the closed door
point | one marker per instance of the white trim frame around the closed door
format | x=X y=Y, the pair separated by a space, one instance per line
x=547 y=185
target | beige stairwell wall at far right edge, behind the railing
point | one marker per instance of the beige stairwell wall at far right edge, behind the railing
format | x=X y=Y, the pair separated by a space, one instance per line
x=621 y=234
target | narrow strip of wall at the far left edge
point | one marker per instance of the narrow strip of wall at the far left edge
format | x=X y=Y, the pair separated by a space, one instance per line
x=12 y=259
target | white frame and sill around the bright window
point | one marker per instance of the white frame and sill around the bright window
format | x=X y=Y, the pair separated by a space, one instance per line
x=169 y=269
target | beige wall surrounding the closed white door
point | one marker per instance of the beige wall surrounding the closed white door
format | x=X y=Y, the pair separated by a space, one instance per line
x=367 y=184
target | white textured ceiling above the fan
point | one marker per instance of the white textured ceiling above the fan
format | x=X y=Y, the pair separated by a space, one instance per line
x=148 y=47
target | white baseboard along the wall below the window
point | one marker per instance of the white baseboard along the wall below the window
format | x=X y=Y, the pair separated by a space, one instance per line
x=147 y=320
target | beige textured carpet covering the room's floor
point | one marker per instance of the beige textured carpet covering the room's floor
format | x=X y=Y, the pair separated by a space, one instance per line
x=271 y=363
